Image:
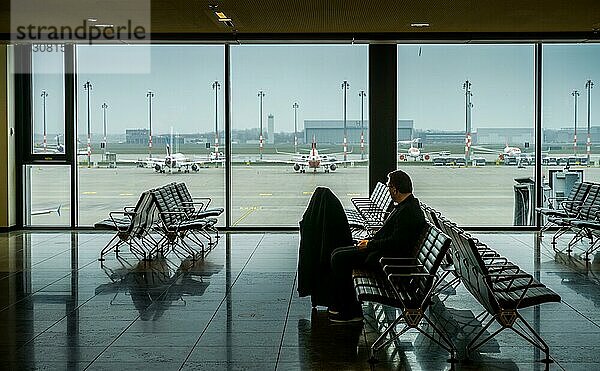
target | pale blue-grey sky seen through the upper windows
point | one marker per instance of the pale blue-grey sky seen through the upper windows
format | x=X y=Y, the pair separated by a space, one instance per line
x=430 y=85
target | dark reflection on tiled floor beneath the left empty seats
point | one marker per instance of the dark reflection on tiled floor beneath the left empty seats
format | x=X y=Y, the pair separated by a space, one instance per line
x=156 y=285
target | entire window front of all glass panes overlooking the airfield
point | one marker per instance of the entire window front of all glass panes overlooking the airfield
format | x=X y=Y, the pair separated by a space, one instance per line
x=148 y=115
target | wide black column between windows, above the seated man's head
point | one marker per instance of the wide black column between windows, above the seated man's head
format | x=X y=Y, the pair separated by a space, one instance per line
x=383 y=117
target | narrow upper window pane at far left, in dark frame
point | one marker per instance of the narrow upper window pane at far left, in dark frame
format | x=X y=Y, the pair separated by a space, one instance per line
x=48 y=98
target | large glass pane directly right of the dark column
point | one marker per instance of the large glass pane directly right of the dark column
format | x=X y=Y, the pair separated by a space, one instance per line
x=466 y=129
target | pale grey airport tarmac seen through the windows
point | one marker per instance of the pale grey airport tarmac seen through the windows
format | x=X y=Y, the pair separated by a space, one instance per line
x=272 y=195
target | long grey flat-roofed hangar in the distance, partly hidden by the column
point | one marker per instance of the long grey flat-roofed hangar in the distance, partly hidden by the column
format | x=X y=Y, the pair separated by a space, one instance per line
x=332 y=131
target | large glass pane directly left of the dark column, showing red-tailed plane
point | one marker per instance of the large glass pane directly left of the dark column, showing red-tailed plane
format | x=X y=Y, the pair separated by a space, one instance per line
x=293 y=108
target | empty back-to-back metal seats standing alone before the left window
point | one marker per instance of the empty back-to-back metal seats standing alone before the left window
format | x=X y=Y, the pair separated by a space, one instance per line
x=165 y=219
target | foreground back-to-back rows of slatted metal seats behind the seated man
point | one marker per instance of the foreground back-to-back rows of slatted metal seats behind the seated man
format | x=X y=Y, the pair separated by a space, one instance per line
x=499 y=285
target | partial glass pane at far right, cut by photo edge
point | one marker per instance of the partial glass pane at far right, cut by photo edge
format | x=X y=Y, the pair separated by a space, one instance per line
x=571 y=134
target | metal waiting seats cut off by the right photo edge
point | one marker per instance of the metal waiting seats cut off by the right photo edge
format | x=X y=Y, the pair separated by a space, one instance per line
x=579 y=214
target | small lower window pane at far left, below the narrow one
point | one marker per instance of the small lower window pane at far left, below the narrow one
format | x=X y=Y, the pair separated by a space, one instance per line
x=47 y=195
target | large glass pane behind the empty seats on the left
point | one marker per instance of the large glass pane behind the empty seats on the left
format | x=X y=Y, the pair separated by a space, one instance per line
x=147 y=116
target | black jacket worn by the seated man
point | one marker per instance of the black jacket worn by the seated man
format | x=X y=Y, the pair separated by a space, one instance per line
x=400 y=233
